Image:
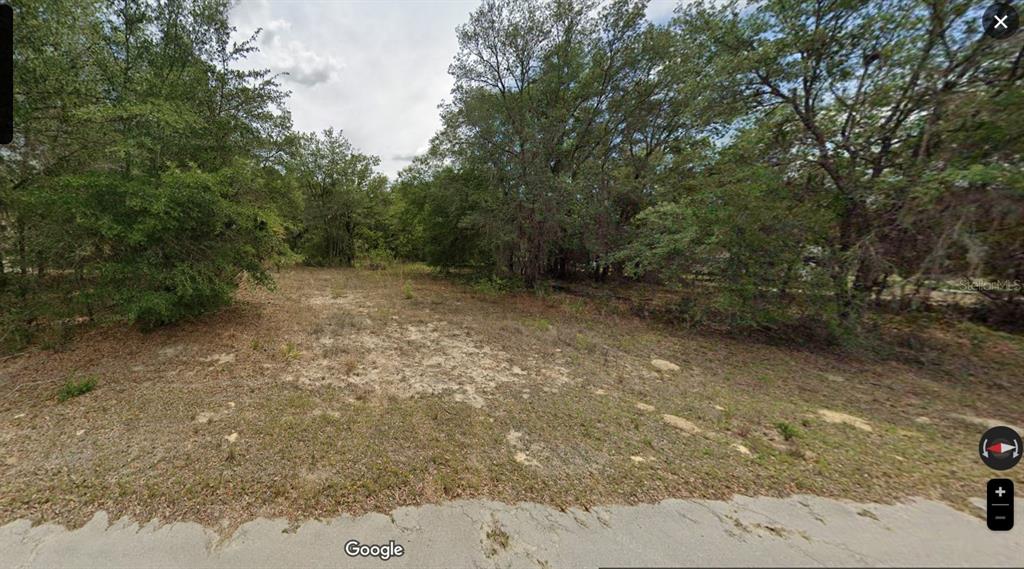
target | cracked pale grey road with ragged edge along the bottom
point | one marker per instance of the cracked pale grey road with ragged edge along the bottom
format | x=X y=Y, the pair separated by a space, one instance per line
x=799 y=531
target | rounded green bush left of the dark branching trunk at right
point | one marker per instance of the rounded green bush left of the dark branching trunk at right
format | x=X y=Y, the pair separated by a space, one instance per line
x=746 y=253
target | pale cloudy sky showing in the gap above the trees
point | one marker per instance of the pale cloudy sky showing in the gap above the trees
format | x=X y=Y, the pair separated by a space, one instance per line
x=376 y=70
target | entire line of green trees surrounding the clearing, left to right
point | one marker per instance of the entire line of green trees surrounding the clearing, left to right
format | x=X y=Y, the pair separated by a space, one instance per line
x=779 y=161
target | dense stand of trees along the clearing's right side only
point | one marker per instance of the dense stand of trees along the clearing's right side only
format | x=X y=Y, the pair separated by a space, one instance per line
x=788 y=159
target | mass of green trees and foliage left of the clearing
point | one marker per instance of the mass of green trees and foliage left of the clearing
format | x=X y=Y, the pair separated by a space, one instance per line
x=127 y=194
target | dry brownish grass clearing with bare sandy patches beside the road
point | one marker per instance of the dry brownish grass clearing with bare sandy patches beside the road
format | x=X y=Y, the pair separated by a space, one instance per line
x=355 y=391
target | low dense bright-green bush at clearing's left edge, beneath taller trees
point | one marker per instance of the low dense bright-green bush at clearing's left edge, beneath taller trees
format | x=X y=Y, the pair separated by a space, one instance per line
x=177 y=247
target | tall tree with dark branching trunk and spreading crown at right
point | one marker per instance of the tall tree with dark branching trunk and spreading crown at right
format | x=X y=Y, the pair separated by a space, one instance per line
x=868 y=85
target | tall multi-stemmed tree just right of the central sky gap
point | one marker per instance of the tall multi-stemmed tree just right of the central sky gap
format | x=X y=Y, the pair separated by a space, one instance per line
x=566 y=110
